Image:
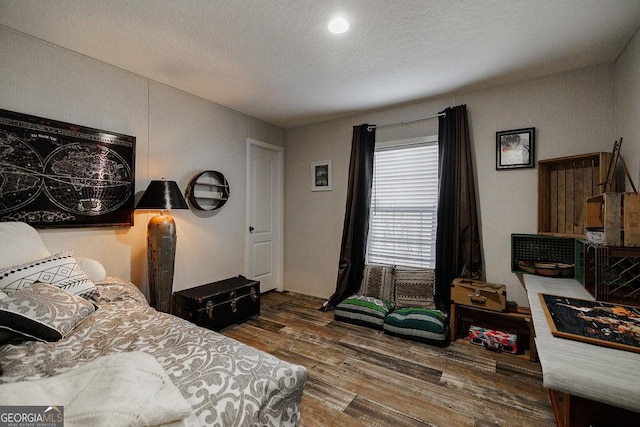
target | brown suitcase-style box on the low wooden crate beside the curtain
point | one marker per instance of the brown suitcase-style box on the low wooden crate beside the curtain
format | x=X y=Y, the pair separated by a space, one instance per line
x=475 y=293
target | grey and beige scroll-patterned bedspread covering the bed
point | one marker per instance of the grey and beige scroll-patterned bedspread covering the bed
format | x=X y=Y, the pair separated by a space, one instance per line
x=226 y=382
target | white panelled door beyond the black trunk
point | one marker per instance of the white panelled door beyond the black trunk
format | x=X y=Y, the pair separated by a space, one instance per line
x=264 y=214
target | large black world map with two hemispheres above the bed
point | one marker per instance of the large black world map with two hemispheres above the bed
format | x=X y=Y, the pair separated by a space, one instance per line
x=56 y=174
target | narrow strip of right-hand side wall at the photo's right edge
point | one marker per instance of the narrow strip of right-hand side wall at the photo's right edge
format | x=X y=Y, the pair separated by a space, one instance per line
x=627 y=107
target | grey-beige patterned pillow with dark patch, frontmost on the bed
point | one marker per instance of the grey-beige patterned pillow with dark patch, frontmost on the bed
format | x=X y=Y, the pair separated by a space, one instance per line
x=43 y=312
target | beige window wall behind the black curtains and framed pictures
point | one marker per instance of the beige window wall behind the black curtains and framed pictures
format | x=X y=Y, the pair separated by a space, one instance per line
x=572 y=113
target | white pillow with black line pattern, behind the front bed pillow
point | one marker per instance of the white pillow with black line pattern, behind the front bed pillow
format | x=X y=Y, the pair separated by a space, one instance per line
x=60 y=270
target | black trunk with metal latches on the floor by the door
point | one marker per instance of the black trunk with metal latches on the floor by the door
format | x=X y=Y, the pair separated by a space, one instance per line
x=219 y=304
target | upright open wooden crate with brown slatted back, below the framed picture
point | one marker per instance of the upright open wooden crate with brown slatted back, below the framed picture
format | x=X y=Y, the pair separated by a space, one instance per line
x=564 y=184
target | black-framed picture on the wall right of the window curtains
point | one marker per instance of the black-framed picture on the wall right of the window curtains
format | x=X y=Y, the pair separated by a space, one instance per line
x=515 y=148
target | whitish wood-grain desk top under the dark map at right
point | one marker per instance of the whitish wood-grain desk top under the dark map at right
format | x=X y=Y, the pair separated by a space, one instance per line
x=586 y=370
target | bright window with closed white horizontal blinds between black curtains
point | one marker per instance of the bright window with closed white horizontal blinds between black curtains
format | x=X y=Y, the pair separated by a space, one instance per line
x=404 y=204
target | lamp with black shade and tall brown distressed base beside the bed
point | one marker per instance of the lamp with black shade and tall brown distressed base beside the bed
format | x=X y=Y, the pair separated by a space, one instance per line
x=161 y=240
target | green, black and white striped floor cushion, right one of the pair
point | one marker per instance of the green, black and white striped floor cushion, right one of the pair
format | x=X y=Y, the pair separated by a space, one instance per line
x=417 y=323
